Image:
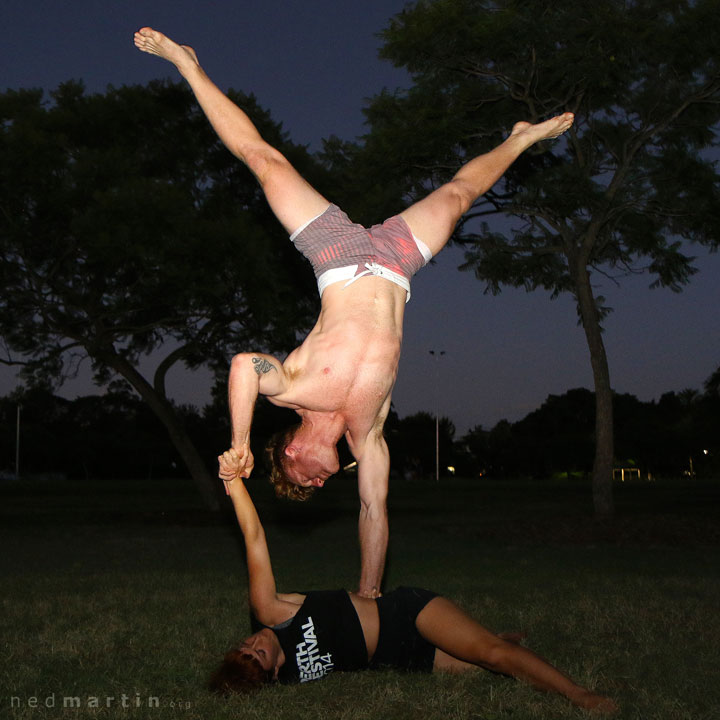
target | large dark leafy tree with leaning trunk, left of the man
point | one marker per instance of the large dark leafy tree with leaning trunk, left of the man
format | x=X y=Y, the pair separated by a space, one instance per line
x=127 y=229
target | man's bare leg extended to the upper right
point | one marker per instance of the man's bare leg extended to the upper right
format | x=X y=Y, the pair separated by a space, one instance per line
x=433 y=218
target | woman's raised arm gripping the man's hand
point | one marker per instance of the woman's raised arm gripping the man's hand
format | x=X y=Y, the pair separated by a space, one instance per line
x=265 y=603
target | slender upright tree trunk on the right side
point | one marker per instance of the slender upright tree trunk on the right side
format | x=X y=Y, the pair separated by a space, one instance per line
x=602 y=477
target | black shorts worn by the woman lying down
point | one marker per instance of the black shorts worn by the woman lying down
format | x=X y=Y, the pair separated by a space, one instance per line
x=400 y=645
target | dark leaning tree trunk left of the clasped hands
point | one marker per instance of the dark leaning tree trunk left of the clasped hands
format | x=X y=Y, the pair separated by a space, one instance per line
x=204 y=482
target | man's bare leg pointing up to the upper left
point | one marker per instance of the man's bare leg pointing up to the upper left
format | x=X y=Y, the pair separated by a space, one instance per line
x=293 y=200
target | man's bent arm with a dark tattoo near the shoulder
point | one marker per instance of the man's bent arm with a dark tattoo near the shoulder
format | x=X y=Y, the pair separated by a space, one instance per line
x=251 y=374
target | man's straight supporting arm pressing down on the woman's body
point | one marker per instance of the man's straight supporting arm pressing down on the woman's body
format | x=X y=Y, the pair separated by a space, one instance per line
x=373 y=472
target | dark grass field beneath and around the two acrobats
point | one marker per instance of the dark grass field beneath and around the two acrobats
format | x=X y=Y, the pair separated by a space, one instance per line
x=126 y=594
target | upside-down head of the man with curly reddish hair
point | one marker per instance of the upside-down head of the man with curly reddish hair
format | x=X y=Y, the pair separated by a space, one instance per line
x=300 y=463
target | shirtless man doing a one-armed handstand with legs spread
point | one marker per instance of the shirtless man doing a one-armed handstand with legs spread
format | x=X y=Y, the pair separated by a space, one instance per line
x=340 y=380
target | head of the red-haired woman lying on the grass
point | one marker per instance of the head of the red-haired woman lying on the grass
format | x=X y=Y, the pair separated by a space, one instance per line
x=250 y=665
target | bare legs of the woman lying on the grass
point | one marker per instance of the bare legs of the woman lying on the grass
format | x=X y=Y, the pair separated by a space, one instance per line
x=460 y=638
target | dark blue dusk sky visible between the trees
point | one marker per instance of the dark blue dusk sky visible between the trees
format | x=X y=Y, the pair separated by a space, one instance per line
x=313 y=65
